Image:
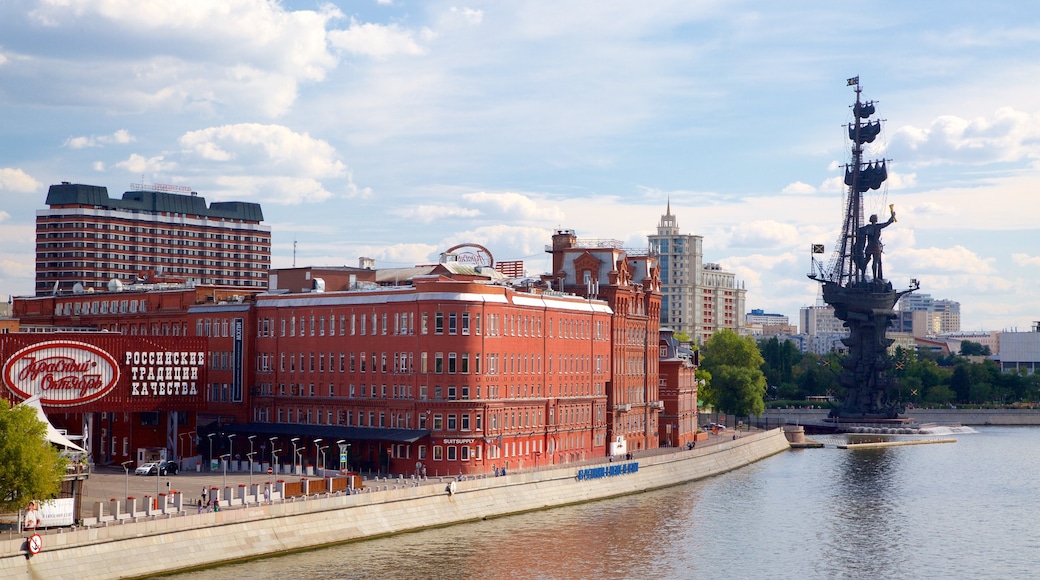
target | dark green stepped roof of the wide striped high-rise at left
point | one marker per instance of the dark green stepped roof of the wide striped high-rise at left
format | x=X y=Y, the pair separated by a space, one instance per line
x=75 y=194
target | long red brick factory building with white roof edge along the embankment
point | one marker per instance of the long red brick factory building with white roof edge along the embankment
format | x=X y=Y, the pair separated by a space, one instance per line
x=443 y=370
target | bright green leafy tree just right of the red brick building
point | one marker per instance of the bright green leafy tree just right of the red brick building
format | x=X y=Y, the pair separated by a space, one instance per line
x=737 y=385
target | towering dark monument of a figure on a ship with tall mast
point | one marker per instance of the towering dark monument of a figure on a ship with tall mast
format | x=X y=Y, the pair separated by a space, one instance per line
x=864 y=301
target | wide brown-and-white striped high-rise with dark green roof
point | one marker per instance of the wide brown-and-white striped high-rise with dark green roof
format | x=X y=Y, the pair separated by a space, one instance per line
x=87 y=240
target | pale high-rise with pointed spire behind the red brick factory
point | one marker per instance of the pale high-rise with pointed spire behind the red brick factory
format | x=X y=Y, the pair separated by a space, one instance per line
x=697 y=299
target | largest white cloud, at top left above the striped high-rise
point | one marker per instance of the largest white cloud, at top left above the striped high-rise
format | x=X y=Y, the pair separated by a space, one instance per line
x=184 y=56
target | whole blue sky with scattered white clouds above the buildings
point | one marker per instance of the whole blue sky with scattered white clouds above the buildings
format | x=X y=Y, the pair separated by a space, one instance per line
x=398 y=129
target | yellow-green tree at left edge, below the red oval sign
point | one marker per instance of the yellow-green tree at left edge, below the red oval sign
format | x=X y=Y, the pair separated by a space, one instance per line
x=31 y=467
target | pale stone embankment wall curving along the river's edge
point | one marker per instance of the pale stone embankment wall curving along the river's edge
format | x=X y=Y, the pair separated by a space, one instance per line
x=153 y=546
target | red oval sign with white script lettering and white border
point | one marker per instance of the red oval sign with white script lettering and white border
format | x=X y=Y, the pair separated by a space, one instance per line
x=64 y=374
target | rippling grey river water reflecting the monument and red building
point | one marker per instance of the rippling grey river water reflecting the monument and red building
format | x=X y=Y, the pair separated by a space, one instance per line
x=959 y=511
